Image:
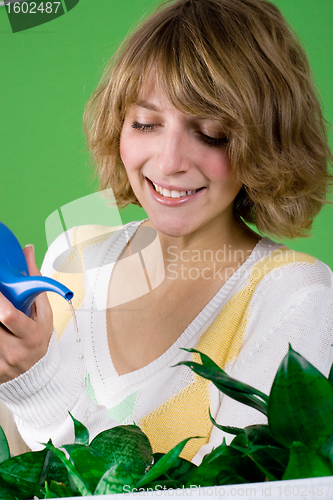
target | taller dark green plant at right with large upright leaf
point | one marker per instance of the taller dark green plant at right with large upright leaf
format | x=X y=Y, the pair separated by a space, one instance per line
x=298 y=440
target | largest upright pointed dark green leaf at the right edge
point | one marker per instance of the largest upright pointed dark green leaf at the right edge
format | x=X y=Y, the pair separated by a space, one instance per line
x=300 y=404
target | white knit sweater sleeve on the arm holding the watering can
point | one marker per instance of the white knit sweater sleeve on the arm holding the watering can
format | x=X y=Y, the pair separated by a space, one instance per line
x=41 y=398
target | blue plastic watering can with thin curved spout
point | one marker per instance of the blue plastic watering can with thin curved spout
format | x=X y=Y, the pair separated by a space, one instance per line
x=15 y=283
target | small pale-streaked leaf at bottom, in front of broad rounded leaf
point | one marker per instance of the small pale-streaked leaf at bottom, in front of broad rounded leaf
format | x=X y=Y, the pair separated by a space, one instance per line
x=115 y=480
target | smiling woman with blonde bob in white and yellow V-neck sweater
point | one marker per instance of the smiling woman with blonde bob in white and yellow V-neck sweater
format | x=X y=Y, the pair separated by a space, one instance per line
x=208 y=119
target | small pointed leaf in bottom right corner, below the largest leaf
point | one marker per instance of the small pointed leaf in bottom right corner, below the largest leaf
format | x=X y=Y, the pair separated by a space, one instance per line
x=304 y=462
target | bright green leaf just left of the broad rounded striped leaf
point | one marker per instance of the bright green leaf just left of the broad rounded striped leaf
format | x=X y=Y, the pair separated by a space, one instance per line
x=88 y=463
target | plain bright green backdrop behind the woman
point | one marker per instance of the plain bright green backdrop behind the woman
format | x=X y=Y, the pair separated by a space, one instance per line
x=47 y=74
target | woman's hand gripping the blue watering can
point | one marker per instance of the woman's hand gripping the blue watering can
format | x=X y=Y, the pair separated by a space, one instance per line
x=27 y=339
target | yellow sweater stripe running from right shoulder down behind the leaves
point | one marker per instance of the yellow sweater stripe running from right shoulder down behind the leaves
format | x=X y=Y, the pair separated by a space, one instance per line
x=186 y=413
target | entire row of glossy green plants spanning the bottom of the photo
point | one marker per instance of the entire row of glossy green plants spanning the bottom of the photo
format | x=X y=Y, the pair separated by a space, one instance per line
x=296 y=443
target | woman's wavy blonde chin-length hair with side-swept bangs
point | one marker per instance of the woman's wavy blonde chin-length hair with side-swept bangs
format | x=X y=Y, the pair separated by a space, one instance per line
x=239 y=62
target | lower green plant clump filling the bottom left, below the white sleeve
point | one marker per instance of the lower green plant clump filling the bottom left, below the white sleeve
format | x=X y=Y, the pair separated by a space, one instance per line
x=117 y=460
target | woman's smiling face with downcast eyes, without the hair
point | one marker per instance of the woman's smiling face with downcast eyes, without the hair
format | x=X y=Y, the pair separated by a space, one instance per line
x=177 y=165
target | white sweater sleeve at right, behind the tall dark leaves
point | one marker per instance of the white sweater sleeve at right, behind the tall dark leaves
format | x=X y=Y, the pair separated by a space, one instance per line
x=303 y=318
